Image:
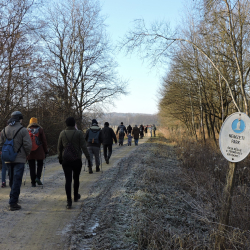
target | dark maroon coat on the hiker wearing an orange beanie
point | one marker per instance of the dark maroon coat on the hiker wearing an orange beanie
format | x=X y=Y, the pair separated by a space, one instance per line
x=41 y=151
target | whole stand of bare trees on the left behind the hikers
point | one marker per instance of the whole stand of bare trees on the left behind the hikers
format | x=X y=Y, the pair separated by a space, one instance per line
x=55 y=61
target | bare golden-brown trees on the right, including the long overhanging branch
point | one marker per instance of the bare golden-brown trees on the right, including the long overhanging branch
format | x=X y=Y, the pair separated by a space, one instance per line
x=209 y=64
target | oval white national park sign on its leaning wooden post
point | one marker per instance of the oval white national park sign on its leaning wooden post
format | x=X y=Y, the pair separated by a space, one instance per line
x=234 y=143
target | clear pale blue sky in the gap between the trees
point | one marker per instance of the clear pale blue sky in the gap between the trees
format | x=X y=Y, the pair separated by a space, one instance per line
x=143 y=81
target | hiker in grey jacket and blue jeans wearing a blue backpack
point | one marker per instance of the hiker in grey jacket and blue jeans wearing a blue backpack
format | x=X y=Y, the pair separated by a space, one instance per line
x=17 y=134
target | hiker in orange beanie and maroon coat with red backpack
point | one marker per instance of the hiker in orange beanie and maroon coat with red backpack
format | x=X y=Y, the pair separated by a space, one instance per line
x=38 y=151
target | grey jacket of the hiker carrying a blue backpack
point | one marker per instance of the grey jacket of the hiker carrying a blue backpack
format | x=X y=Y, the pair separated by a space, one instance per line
x=22 y=141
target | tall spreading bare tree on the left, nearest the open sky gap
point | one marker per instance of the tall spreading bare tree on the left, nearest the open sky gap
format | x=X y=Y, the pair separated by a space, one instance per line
x=80 y=69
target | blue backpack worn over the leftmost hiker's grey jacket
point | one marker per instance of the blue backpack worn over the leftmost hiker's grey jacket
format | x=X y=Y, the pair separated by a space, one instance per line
x=8 y=152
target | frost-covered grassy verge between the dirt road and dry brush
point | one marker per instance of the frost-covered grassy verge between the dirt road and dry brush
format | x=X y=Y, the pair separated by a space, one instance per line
x=140 y=204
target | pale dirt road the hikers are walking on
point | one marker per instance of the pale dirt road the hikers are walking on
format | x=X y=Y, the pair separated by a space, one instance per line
x=44 y=222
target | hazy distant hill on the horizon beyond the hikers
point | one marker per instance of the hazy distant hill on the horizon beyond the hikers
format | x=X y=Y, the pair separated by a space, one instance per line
x=115 y=119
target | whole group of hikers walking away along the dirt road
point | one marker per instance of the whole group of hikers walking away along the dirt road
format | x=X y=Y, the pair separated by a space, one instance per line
x=19 y=145
